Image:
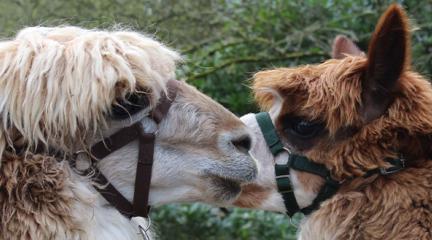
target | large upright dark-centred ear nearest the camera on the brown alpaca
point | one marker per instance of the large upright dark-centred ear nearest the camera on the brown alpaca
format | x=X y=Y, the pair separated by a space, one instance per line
x=388 y=56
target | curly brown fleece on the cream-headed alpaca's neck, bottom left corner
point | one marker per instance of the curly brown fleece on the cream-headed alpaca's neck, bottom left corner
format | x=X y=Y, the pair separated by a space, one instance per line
x=33 y=192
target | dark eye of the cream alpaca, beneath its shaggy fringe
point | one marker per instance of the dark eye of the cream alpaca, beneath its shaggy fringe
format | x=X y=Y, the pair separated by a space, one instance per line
x=130 y=105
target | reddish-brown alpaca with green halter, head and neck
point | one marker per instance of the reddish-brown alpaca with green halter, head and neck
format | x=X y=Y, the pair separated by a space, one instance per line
x=351 y=114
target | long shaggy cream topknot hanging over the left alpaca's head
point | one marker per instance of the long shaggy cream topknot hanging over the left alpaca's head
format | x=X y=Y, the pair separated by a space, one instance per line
x=58 y=84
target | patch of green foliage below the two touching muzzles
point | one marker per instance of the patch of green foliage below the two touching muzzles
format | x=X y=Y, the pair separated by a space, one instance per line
x=197 y=221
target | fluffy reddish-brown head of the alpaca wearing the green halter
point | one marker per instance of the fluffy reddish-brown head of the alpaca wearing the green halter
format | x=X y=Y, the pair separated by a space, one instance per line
x=352 y=113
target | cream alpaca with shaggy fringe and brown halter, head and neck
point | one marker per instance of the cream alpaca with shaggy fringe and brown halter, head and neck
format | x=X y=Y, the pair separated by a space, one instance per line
x=58 y=87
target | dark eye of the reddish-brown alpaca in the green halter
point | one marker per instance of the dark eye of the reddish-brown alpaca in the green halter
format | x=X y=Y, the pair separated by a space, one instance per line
x=304 y=128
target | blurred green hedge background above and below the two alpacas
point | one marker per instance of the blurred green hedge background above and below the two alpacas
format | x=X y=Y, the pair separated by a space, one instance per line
x=224 y=43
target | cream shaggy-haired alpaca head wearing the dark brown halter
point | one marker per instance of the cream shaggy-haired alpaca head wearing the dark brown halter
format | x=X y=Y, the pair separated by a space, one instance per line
x=66 y=88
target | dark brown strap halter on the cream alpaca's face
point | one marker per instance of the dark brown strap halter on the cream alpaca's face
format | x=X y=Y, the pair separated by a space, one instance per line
x=139 y=206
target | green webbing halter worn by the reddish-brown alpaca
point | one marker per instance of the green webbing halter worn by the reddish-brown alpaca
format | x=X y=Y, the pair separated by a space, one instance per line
x=302 y=163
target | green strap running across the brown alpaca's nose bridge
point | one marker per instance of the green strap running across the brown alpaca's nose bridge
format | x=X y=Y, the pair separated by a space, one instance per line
x=269 y=132
